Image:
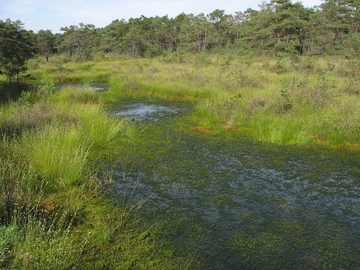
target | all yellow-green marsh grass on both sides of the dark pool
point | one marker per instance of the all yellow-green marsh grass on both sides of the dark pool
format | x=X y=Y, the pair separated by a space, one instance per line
x=52 y=210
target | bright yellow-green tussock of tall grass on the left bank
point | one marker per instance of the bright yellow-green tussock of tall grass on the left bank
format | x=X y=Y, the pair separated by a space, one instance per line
x=58 y=155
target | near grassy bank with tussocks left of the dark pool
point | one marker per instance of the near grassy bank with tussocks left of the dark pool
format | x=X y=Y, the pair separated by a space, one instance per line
x=55 y=211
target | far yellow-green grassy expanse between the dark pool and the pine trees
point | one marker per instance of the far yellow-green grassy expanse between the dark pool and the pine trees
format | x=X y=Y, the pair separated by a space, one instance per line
x=285 y=100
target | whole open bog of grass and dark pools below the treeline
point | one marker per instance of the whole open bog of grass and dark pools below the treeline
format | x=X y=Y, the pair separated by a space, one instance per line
x=197 y=161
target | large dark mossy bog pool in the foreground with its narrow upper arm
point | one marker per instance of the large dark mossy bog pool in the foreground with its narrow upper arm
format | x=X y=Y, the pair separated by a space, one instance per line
x=241 y=205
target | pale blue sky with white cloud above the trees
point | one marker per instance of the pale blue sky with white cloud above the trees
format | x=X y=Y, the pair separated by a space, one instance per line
x=54 y=14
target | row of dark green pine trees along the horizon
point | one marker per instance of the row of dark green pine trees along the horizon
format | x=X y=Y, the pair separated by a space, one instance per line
x=278 y=26
